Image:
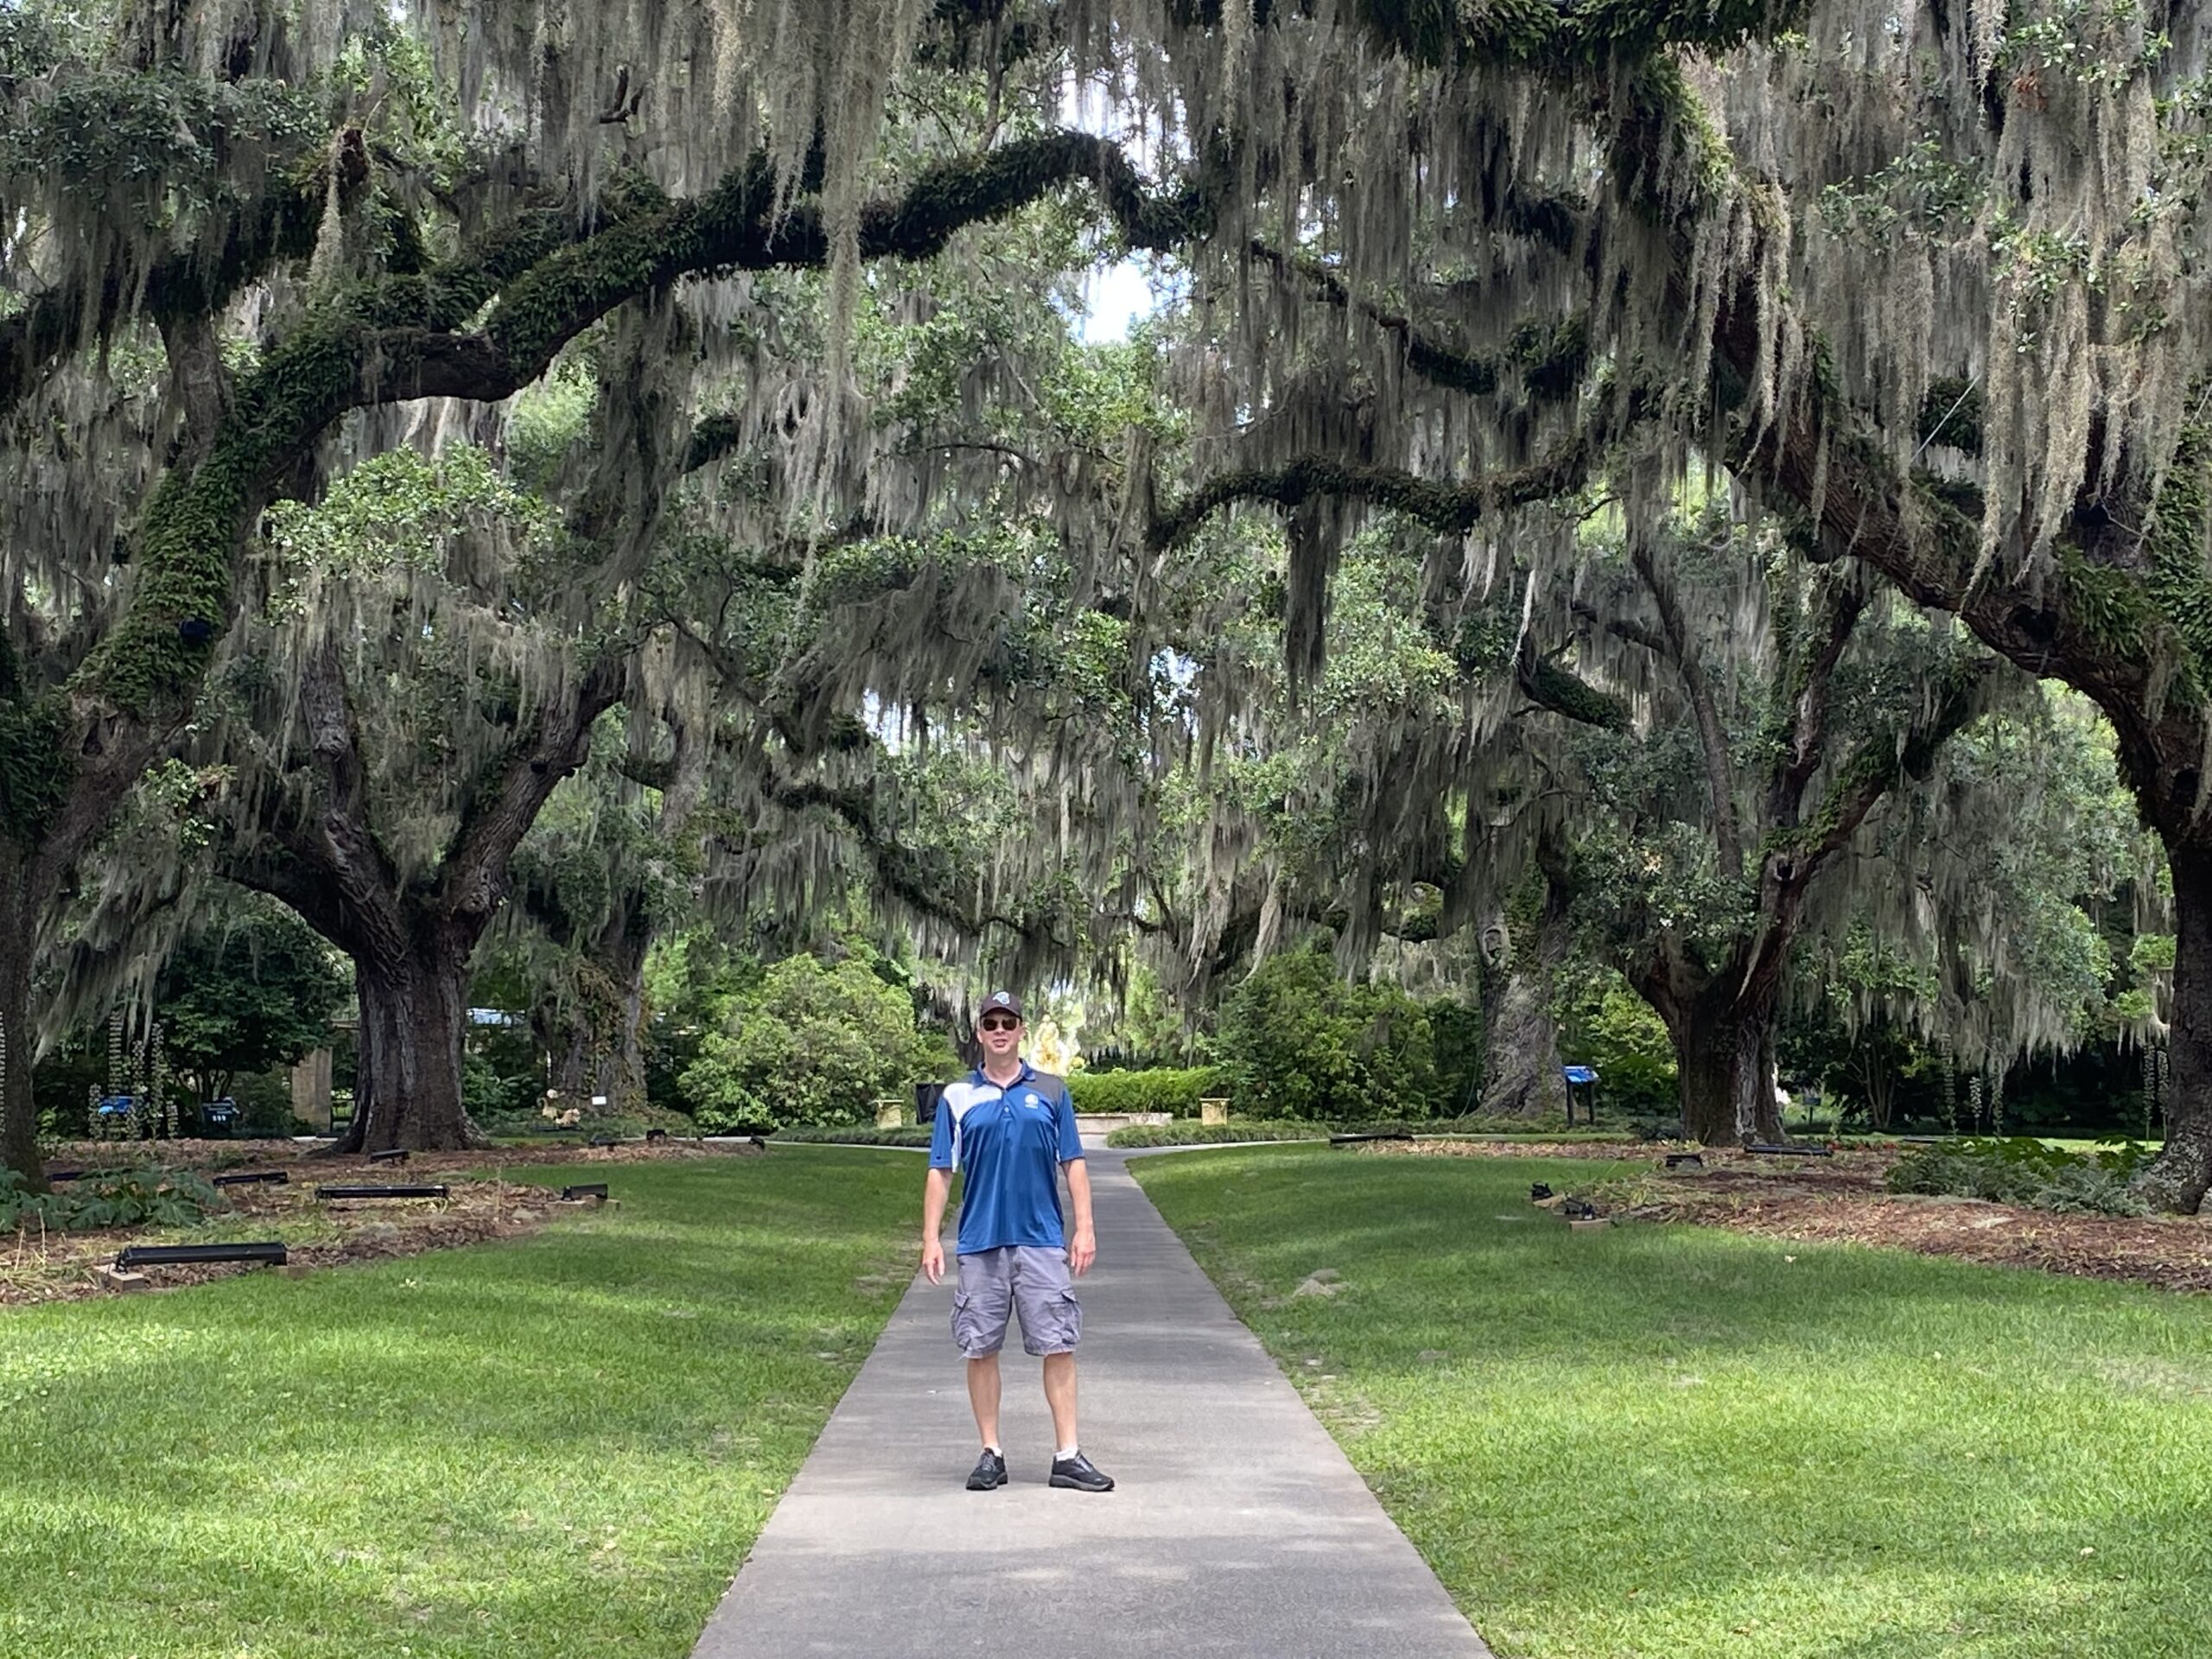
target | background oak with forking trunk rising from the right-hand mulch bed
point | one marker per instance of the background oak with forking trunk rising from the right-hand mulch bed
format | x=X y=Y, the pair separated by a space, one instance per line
x=1720 y=828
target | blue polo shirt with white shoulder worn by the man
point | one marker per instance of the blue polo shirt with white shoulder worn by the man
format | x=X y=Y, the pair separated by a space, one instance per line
x=1012 y=1145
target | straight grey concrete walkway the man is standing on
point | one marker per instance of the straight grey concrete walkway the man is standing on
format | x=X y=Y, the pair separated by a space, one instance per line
x=1238 y=1525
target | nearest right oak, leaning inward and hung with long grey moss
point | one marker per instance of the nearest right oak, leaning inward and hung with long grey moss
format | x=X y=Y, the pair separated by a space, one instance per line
x=1923 y=280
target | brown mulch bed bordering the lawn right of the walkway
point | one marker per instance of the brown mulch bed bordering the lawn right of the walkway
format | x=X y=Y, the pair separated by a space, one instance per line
x=1841 y=1200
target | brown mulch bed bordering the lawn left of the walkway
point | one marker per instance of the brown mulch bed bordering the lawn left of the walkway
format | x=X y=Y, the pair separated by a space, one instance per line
x=39 y=1269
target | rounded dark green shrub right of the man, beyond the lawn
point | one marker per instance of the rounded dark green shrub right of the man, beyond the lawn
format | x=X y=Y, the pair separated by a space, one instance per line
x=1302 y=1043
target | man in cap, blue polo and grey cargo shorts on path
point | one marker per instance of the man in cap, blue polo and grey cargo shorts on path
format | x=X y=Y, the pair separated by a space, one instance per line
x=1014 y=1129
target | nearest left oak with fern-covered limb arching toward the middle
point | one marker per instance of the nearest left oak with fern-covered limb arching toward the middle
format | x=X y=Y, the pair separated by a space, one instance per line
x=357 y=229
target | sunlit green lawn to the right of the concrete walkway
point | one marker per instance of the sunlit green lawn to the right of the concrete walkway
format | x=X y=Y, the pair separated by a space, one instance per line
x=1695 y=1446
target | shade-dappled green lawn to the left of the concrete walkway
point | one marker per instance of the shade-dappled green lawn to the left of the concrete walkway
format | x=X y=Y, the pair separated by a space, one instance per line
x=559 y=1446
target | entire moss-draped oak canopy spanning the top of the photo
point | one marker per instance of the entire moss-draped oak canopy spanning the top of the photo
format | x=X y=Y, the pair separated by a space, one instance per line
x=1596 y=468
